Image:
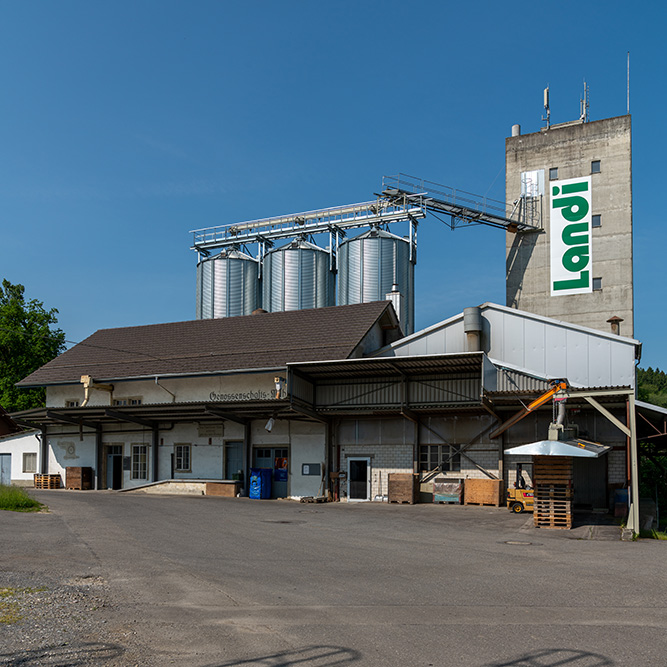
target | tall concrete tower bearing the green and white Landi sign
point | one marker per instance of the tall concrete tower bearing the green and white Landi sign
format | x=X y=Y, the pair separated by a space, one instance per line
x=578 y=268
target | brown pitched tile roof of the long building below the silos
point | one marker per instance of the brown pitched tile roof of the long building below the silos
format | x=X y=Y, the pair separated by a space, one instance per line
x=266 y=340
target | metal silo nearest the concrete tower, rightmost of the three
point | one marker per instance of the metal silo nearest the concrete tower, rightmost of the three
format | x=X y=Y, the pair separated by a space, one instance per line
x=370 y=264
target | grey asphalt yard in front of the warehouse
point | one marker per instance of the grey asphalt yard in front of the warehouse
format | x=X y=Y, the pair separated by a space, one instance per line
x=217 y=581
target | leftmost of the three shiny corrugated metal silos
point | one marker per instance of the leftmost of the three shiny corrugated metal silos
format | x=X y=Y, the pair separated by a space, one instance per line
x=227 y=285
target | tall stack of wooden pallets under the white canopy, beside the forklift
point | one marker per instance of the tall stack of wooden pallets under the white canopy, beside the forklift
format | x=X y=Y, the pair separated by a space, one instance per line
x=552 y=479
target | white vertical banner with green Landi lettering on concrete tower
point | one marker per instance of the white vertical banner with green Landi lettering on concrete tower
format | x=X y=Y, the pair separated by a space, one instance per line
x=570 y=236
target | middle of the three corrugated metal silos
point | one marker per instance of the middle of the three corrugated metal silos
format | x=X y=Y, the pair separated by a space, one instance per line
x=297 y=276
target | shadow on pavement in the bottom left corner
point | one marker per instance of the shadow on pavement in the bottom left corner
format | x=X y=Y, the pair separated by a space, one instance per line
x=69 y=655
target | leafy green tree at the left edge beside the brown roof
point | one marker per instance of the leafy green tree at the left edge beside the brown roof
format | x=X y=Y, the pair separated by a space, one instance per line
x=28 y=340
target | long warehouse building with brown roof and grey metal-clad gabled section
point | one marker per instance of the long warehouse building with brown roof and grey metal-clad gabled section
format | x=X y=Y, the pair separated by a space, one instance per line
x=331 y=400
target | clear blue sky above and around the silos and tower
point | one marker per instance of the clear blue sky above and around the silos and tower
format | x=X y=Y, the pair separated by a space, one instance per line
x=127 y=124
